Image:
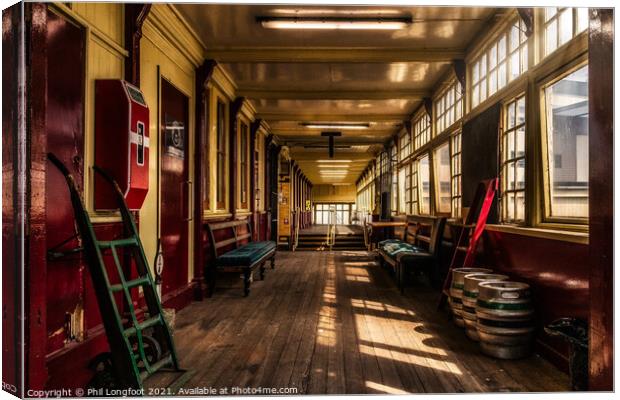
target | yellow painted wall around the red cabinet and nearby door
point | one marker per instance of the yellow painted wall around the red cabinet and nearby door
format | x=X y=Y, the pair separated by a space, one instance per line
x=168 y=43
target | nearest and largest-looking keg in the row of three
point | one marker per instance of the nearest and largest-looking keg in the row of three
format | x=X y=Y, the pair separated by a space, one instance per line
x=504 y=313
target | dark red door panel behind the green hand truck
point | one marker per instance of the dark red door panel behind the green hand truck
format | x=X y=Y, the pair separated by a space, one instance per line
x=65 y=138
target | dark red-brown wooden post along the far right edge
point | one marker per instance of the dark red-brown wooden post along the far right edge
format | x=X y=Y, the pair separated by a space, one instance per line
x=601 y=190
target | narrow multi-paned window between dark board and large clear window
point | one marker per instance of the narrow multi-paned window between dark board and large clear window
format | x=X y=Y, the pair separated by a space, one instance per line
x=512 y=173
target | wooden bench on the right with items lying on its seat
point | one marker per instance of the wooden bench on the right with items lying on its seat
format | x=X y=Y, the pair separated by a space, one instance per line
x=406 y=253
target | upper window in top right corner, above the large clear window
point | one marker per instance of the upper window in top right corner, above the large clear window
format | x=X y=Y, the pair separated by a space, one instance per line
x=562 y=24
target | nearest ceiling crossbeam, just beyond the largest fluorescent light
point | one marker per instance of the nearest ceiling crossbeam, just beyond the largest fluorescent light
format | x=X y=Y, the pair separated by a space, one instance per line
x=332 y=55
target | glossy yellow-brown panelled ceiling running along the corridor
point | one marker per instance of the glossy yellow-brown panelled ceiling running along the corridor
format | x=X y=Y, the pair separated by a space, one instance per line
x=335 y=76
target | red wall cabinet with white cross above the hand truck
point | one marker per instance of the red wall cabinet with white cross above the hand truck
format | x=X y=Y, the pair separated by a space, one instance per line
x=121 y=142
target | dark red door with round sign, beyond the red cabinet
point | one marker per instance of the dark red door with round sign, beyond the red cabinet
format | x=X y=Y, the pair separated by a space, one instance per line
x=174 y=187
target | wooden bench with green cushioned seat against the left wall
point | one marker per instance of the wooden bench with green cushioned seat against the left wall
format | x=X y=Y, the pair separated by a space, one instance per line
x=242 y=257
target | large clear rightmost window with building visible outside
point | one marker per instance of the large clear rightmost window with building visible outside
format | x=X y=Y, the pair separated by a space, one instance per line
x=566 y=132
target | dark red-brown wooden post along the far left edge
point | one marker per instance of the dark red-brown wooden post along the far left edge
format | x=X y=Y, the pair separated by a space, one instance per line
x=35 y=264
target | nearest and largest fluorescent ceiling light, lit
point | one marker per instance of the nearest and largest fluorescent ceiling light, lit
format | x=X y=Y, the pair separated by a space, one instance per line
x=359 y=23
